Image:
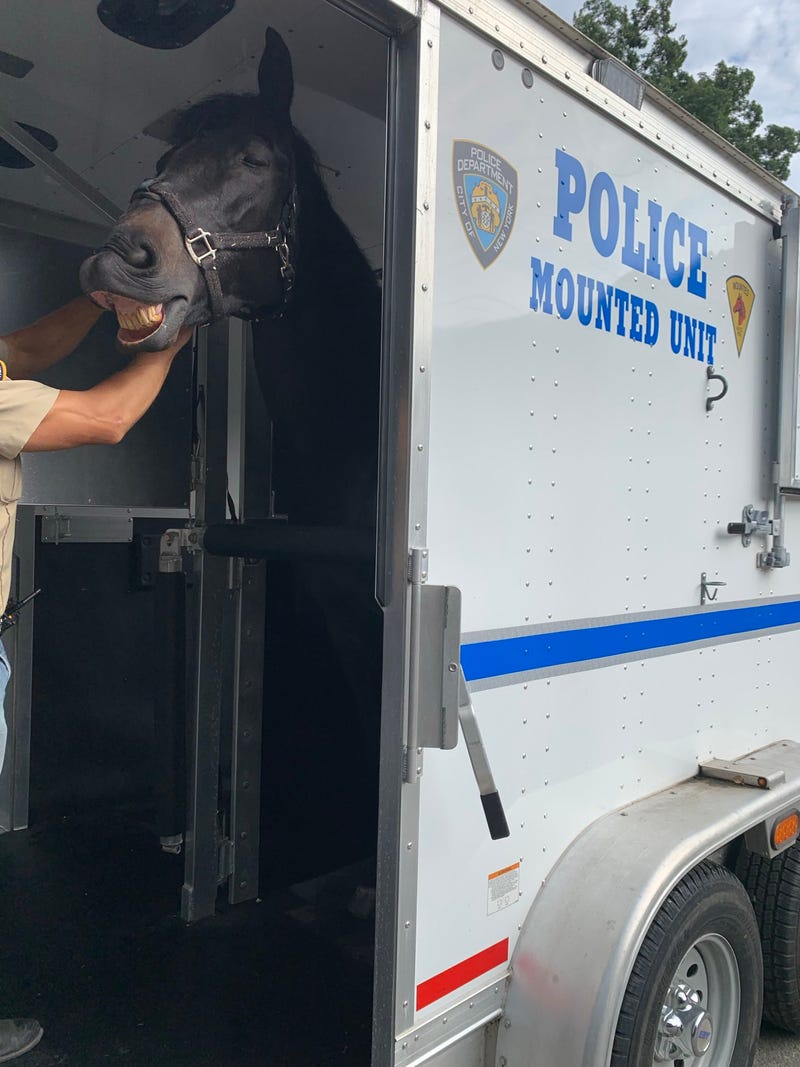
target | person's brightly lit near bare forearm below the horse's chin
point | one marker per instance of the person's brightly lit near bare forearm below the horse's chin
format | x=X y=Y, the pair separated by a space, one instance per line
x=104 y=415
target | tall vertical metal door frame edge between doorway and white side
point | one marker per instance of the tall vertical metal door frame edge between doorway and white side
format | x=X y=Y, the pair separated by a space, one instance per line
x=399 y=819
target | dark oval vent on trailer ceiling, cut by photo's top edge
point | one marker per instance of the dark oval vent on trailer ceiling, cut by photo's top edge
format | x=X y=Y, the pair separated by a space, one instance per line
x=163 y=24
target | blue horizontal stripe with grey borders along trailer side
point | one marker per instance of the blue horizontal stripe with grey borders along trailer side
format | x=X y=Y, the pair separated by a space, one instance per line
x=506 y=658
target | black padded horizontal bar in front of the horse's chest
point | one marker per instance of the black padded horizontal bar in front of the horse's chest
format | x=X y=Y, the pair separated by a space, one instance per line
x=275 y=539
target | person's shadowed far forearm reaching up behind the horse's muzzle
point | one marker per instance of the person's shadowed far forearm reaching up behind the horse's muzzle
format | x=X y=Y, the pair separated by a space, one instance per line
x=39 y=346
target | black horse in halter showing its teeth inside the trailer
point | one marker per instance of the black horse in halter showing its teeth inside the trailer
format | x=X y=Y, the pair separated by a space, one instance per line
x=238 y=222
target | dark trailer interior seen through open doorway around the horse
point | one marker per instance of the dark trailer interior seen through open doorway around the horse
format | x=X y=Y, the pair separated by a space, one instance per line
x=127 y=946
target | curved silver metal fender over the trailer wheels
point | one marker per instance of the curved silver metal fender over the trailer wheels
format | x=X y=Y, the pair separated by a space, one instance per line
x=581 y=938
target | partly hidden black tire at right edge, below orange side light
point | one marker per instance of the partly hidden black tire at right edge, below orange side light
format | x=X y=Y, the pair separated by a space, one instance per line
x=774 y=887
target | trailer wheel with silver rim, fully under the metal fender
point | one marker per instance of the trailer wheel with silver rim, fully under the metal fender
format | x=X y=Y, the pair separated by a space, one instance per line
x=695 y=995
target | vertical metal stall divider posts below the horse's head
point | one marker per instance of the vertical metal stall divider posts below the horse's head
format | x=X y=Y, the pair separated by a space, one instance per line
x=226 y=629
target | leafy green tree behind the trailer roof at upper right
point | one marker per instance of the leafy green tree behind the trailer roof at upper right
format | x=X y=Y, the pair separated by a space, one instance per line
x=644 y=38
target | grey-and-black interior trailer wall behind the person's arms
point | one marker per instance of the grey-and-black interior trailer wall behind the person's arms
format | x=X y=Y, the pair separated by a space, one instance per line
x=90 y=710
